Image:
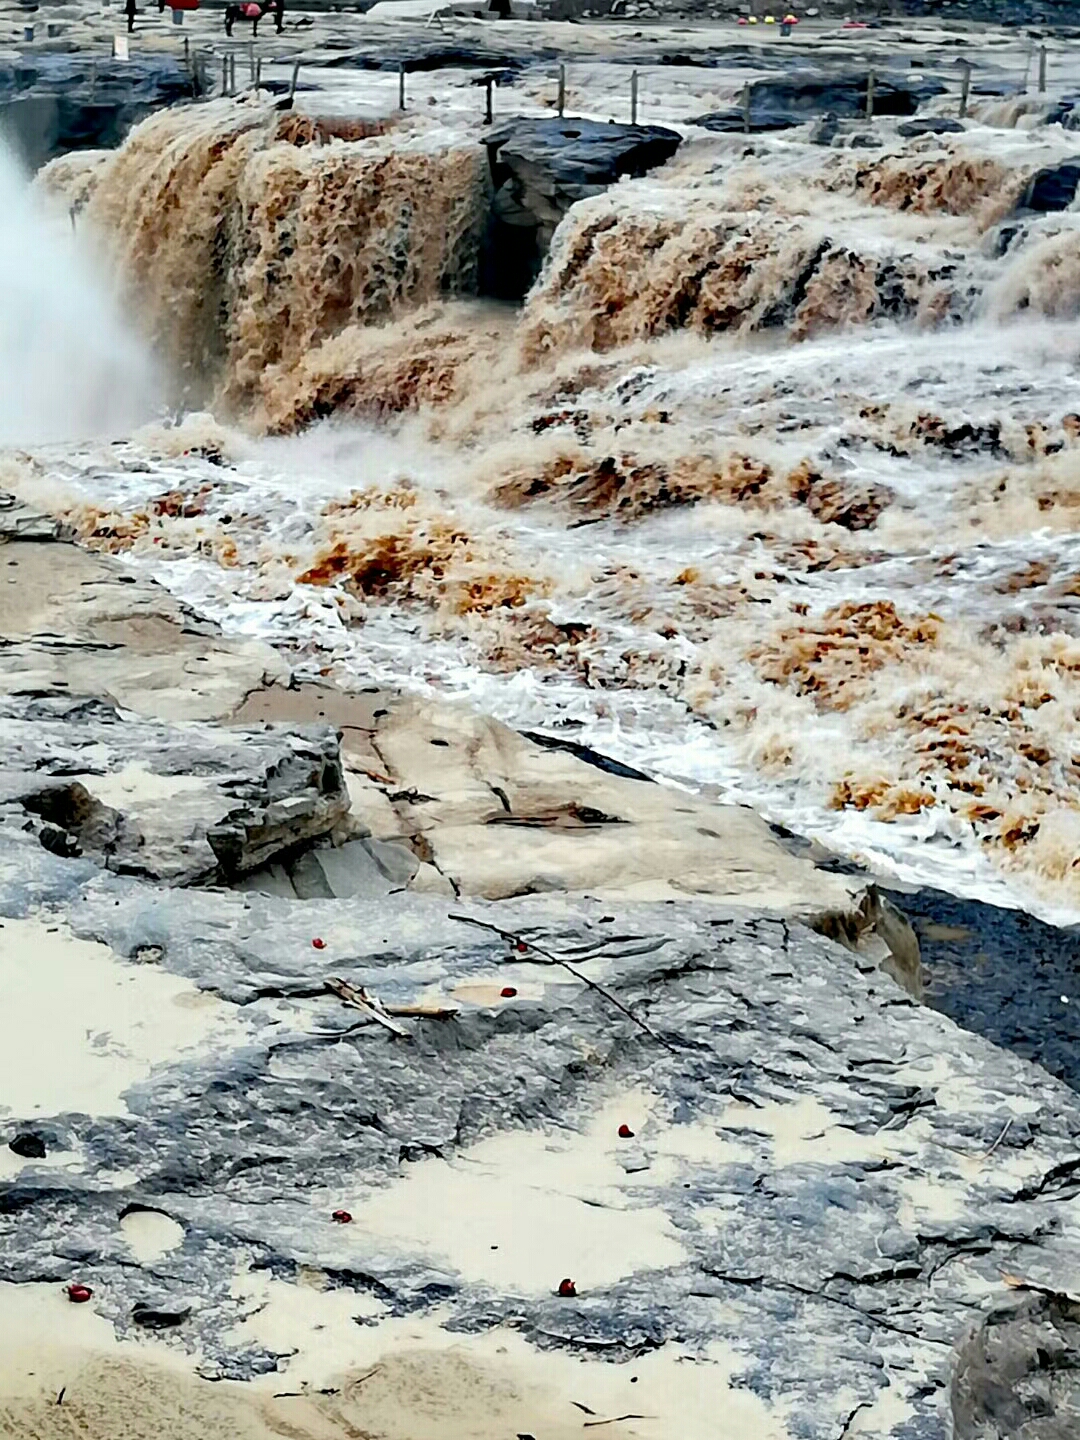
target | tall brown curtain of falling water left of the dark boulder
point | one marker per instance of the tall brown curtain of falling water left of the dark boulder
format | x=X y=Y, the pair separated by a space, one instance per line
x=247 y=240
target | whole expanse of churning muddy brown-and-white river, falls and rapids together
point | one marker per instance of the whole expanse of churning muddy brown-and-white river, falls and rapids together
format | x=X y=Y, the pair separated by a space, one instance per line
x=773 y=486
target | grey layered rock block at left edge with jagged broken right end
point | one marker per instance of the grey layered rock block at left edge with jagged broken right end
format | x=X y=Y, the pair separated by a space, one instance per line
x=182 y=806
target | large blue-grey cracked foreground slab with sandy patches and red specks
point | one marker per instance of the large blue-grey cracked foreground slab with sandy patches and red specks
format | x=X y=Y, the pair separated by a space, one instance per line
x=813 y=1156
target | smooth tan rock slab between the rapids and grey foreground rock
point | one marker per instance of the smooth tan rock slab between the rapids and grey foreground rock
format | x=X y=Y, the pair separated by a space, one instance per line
x=451 y=803
